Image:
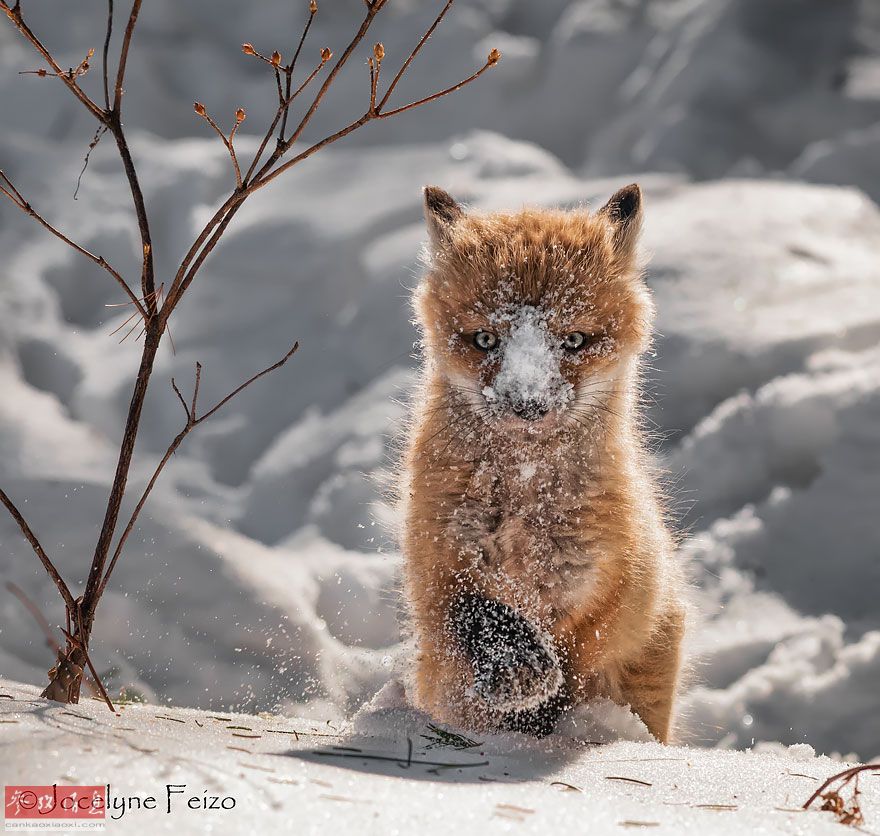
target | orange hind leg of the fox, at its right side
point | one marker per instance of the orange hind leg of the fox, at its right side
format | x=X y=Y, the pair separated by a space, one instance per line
x=649 y=685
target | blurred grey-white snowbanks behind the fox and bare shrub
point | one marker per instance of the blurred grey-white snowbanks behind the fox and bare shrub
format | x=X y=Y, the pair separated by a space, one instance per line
x=262 y=574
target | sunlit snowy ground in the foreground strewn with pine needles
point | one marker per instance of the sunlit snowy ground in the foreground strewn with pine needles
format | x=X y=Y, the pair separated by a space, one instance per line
x=386 y=773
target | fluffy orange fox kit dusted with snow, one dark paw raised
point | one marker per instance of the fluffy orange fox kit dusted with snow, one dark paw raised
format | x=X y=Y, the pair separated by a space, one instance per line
x=539 y=570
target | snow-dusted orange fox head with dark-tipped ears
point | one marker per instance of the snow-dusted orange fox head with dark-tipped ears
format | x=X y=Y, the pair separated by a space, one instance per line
x=534 y=319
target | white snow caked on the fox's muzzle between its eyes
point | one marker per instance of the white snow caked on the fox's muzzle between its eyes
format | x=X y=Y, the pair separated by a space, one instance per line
x=528 y=381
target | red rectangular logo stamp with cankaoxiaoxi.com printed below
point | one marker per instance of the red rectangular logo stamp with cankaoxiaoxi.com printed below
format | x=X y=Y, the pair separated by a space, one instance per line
x=54 y=805
